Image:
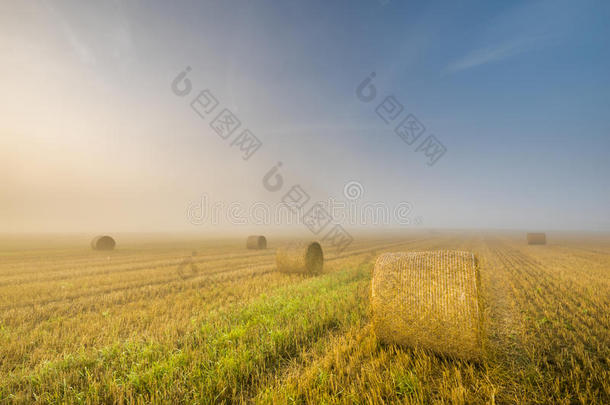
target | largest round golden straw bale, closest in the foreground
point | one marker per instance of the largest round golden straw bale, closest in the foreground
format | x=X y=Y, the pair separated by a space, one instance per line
x=428 y=300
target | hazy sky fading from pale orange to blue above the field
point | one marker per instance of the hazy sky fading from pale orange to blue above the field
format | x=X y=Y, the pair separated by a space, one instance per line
x=92 y=138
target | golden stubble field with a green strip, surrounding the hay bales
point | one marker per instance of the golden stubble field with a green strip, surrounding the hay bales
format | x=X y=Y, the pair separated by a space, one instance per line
x=79 y=326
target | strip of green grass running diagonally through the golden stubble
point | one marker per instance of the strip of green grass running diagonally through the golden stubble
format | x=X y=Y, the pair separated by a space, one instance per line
x=222 y=361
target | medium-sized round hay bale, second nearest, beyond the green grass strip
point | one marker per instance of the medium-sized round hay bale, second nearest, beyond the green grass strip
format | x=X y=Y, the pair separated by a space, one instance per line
x=307 y=258
